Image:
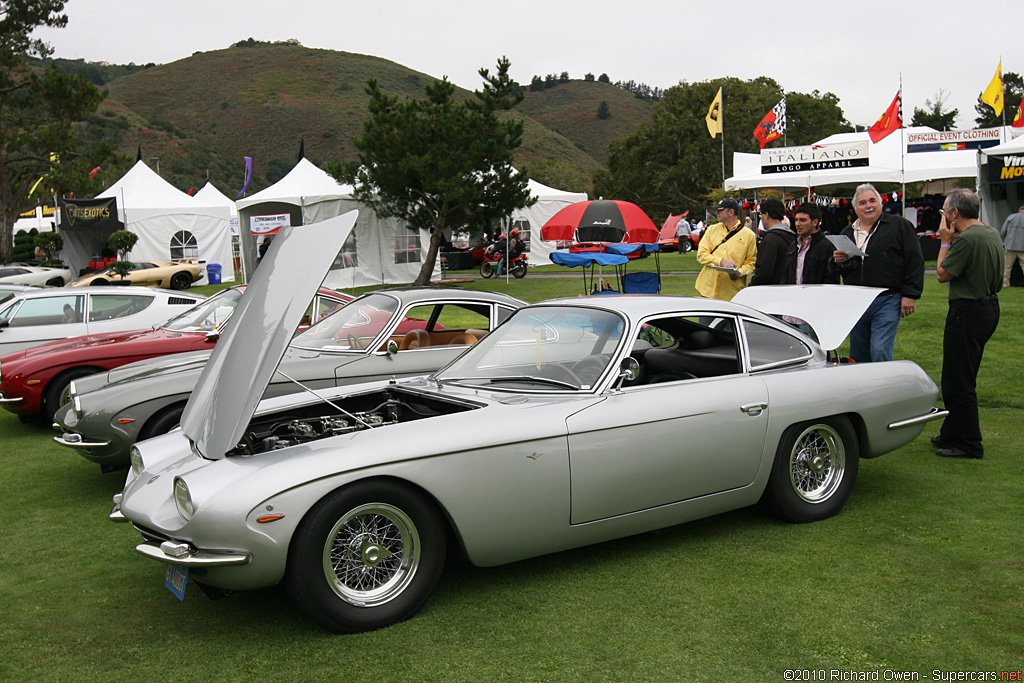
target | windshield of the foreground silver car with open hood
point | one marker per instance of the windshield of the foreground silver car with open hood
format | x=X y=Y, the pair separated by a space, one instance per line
x=541 y=349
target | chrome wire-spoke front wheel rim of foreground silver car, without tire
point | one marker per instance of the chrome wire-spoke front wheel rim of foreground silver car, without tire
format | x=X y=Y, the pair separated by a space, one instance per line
x=372 y=554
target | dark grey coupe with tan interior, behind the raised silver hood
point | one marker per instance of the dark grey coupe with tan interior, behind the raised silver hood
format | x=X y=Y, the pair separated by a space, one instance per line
x=393 y=333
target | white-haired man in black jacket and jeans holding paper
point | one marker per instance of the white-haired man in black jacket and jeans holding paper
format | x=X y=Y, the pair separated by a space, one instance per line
x=894 y=263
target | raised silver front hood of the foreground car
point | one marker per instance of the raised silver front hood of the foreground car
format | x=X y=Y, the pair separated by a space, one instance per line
x=265 y=322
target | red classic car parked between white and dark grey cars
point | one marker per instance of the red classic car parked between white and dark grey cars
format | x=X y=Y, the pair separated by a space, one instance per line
x=36 y=380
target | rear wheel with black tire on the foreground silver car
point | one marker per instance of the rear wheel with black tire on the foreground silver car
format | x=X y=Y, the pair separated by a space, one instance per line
x=815 y=471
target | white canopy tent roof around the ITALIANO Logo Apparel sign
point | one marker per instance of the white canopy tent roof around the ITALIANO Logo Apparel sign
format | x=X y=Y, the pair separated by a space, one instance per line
x=885 y=165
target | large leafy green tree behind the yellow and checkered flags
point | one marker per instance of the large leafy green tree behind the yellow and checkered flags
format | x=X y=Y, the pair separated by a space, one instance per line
x=671 y=164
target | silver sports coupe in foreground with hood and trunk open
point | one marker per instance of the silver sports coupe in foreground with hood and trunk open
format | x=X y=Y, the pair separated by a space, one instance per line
x=576 y=422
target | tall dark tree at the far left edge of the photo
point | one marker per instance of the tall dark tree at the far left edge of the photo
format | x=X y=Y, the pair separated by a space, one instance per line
x=38 y=108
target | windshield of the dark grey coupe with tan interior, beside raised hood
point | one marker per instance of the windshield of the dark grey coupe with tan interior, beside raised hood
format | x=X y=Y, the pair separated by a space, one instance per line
x=353 y=327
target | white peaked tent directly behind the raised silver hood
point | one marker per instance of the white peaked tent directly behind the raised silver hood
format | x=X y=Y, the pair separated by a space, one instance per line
x=378 y=251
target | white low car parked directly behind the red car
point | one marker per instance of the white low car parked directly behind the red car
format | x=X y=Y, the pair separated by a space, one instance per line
x=38 y=316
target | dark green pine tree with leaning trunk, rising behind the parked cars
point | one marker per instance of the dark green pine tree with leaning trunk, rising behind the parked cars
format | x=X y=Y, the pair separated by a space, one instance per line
x=440 y=163
